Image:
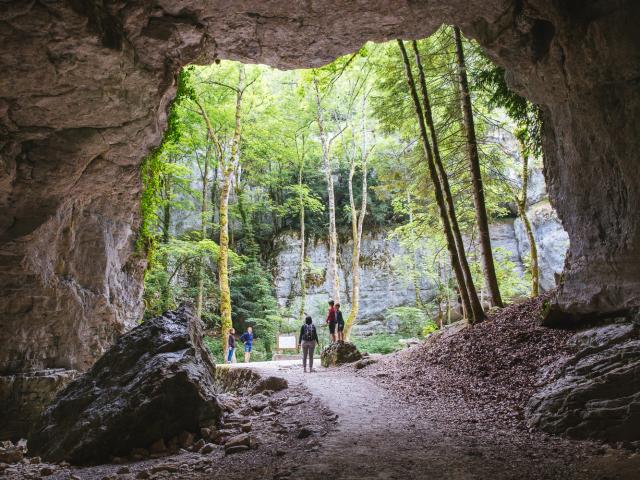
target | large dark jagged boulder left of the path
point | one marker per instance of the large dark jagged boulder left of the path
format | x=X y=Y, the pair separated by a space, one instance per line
x=153 y=384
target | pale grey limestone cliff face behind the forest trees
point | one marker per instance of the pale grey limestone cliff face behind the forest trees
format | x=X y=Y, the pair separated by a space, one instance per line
x=384 y=286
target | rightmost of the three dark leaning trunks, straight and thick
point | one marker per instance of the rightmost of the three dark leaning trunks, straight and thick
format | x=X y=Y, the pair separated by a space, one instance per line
x=491 y=280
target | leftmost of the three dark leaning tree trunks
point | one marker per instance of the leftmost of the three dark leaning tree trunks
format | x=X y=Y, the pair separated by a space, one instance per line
x=437 y=188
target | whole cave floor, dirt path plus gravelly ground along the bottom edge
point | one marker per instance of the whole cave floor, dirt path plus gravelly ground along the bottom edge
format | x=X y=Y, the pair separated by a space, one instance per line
x=379 y=435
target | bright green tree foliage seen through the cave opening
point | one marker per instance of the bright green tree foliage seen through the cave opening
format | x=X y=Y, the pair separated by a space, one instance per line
x=280 y=169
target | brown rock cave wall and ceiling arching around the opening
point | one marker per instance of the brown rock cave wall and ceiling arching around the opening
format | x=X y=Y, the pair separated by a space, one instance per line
x=84 y=92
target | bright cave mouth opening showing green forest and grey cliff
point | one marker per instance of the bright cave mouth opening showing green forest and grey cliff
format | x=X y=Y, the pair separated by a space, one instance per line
x=257 y=143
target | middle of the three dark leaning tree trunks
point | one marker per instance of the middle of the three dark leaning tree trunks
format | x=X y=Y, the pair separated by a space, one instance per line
x=472 y=306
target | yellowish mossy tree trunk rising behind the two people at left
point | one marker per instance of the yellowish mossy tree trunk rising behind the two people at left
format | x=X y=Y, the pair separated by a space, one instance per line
x=223 y=257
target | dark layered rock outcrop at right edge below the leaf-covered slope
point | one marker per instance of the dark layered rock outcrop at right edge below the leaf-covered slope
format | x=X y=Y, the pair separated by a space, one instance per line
x=596 y=392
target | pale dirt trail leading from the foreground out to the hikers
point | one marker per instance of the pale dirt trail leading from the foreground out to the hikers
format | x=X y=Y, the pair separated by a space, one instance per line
x=379 y=436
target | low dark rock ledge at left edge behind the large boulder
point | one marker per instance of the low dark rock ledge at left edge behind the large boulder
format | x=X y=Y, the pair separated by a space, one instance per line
x=24 y=396
